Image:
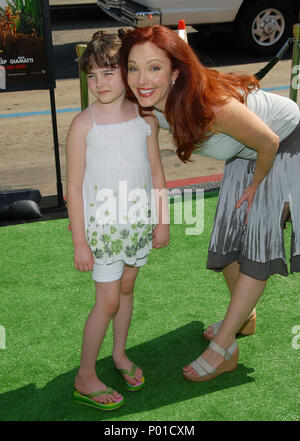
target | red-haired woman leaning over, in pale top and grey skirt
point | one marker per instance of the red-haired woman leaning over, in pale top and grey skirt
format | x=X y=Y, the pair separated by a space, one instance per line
x=228 y=117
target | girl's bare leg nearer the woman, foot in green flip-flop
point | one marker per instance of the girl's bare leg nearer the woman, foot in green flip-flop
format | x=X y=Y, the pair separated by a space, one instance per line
x=122 y=323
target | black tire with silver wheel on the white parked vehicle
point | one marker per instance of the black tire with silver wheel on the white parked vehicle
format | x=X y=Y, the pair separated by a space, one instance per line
x=263 y=26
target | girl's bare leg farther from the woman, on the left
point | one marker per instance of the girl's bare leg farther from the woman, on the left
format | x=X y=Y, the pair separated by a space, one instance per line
x=105 y=308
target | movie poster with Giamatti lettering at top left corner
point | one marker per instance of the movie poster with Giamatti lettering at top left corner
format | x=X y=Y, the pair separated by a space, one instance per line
x=25 y=40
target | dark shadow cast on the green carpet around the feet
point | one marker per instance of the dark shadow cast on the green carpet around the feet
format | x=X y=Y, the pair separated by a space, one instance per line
x=161 y=359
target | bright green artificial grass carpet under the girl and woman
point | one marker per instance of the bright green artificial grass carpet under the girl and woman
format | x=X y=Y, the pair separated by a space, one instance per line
x=44 y=304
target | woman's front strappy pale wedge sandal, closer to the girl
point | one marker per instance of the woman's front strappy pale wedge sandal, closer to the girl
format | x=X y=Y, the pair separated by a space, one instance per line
x=206 y=372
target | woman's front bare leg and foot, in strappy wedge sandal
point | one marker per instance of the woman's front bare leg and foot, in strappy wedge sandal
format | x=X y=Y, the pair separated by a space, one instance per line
x=245 y=296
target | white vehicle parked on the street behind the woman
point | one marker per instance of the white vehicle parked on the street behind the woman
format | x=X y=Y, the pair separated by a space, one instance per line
x=263 y=26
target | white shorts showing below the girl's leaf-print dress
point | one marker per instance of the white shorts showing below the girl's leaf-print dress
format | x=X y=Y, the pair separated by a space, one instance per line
x=109 y=272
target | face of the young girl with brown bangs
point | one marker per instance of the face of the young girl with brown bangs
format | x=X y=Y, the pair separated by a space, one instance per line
x=106 y=84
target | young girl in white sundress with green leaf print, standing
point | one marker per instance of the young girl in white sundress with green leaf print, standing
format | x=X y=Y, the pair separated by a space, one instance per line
x=113 y=163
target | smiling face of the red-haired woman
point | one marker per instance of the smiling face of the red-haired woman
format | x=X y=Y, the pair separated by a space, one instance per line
x=150 y=75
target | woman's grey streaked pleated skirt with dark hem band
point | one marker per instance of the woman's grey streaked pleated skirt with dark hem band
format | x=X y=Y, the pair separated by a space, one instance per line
x=259 y=246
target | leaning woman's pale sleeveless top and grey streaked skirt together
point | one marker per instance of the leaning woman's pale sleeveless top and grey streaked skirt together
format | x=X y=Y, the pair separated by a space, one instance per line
x=259 y=245
